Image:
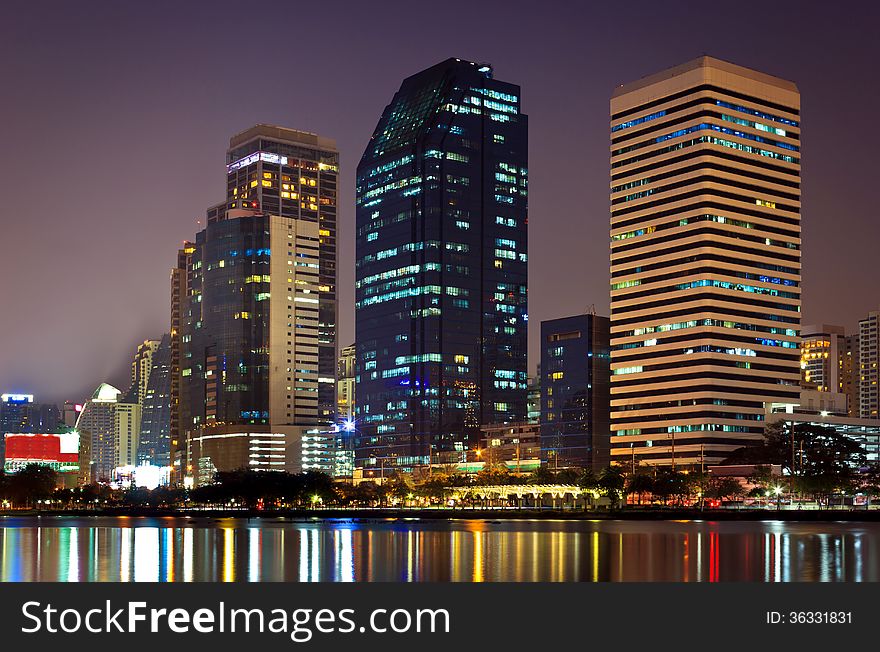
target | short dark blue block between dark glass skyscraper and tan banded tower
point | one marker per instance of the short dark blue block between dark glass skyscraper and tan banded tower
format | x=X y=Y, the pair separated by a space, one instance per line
x=575 y=386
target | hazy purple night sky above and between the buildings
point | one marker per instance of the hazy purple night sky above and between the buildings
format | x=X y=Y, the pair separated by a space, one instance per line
x=115 y=118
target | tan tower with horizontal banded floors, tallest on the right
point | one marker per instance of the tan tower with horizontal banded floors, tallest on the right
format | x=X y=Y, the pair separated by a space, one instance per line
x=705 y=260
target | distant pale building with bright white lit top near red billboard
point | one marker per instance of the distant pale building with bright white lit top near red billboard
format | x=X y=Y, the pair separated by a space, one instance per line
x=111 y=423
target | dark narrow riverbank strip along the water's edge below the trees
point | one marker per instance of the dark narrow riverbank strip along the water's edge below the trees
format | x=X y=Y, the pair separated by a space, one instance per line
x=391 y=514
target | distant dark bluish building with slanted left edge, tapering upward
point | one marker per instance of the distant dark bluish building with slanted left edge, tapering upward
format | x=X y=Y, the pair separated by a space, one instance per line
x=154 y=445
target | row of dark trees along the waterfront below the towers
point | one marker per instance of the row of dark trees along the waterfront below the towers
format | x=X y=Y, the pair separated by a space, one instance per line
x=817 y=462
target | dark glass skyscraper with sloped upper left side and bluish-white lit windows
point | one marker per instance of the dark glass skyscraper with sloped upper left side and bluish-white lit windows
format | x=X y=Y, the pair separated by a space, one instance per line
x=441 y=267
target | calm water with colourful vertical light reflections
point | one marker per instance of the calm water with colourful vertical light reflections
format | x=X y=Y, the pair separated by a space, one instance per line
x=100 y=549
